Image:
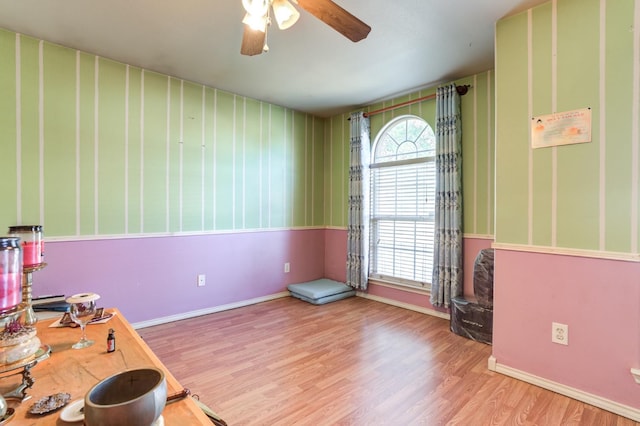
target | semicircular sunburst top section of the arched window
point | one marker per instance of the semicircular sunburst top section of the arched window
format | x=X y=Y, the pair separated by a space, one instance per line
x=404 y=138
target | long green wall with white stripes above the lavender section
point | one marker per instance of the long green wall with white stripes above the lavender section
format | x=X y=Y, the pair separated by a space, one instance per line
x=94 y=147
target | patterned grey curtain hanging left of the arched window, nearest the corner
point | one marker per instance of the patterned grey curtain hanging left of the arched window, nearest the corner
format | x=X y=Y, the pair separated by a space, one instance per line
x=358 y=221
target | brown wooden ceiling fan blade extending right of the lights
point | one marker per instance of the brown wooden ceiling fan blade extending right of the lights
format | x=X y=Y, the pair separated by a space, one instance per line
x=337 y=18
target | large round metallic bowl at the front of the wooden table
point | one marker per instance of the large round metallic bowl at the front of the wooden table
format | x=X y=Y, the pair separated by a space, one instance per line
x=134 y=397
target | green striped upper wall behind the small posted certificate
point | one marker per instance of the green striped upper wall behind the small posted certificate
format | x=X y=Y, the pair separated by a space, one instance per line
x=557 y=57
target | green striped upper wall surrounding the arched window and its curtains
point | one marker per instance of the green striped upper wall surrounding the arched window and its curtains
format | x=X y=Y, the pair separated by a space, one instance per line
x=477 y=145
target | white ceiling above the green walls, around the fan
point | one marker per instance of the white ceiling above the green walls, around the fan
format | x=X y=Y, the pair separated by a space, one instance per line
x=310 y=67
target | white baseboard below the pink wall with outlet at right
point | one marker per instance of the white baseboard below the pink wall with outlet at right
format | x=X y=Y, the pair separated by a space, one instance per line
x=595 y=400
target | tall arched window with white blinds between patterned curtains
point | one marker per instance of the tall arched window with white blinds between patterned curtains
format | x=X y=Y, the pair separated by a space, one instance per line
x=403 y=182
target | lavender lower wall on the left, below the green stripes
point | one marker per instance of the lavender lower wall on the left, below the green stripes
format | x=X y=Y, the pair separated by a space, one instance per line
x=150 y=278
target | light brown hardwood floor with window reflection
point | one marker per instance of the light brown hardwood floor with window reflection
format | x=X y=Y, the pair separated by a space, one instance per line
x=351 y=362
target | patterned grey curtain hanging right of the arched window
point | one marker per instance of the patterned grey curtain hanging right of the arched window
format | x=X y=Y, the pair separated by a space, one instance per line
x=447 y=251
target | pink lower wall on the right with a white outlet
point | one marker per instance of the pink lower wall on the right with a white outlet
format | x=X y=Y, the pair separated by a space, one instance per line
x=598 y=299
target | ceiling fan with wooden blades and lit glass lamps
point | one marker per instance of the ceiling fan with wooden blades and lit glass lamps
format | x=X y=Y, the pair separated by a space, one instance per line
x=258 y=19
